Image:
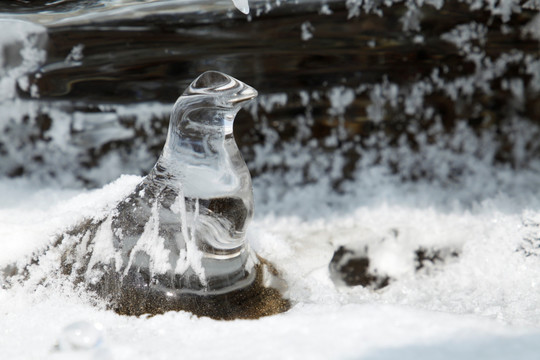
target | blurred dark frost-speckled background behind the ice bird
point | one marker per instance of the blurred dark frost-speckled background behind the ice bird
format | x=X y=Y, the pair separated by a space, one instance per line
x=434 y=91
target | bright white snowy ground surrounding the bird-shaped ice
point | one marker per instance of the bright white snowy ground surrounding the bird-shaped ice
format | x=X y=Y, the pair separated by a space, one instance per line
x=484 y=304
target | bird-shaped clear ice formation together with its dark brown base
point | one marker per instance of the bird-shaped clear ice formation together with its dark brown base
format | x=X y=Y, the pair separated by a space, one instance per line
x=178 y=241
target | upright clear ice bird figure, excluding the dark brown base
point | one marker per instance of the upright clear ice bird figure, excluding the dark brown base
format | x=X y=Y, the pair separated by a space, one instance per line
x=185 y=223
